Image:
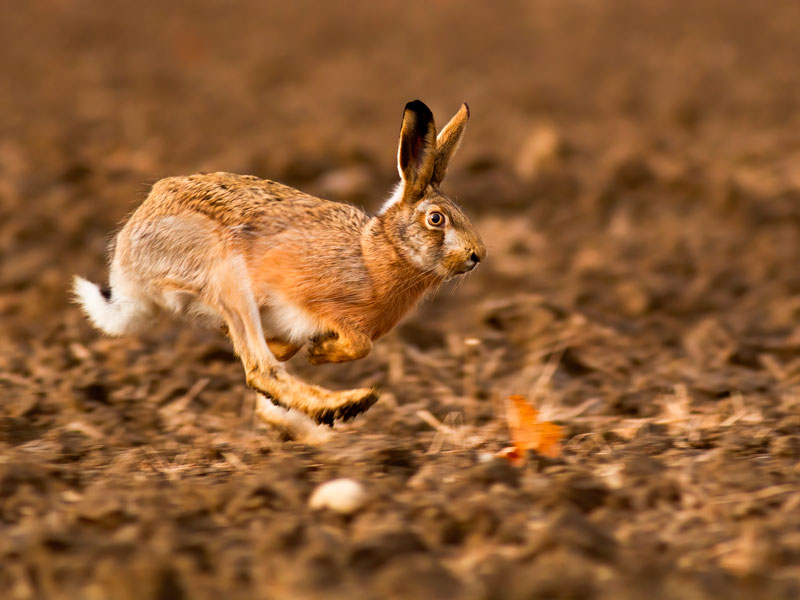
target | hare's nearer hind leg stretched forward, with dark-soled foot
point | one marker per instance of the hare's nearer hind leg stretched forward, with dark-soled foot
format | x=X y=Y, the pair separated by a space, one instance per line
x=230 y=294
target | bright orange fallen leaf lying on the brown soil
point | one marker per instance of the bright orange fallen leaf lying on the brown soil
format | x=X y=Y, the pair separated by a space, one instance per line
x=528 y=433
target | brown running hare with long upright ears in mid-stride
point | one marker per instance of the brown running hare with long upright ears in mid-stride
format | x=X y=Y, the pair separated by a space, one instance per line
x=280 y=269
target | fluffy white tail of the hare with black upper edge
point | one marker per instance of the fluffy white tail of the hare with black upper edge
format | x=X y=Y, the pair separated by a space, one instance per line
x=110 y=313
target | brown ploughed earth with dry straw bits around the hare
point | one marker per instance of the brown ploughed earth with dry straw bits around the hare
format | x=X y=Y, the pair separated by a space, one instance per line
x=634 y=168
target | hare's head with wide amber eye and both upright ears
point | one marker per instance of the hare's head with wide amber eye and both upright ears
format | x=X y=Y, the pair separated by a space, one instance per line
x=425 y=226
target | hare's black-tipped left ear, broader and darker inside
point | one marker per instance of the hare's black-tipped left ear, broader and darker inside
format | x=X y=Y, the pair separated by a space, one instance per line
x=417 y=151
